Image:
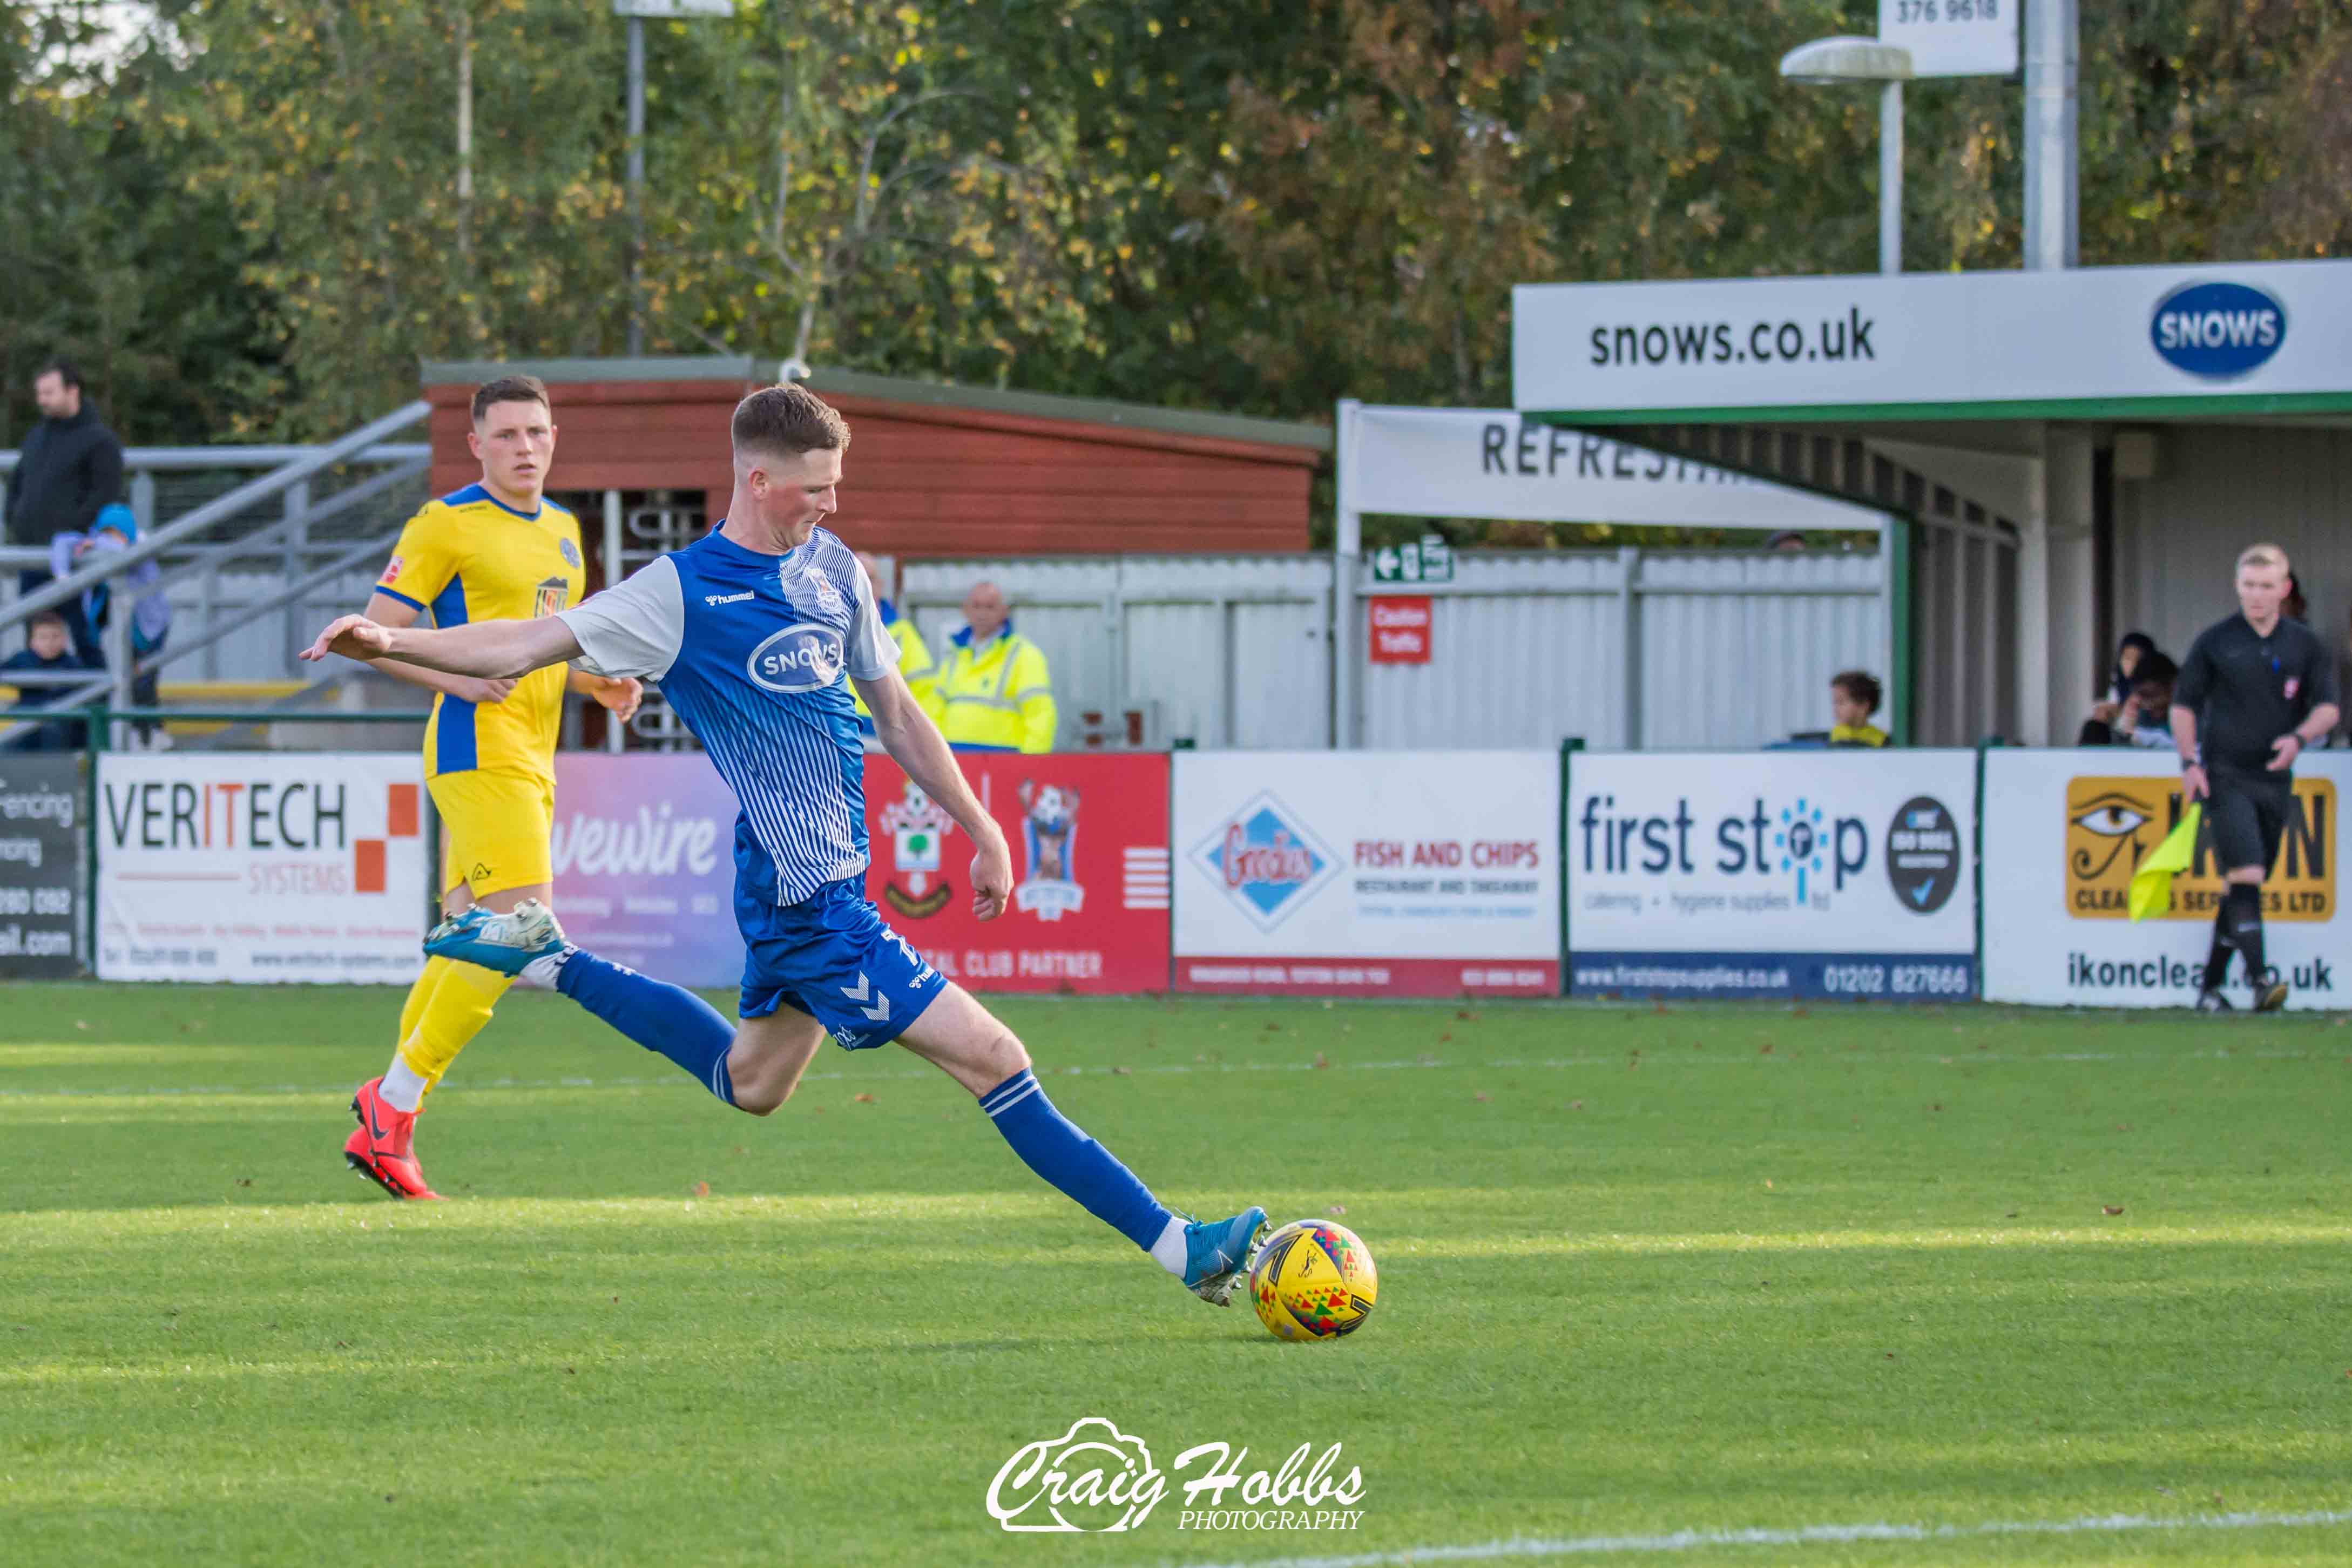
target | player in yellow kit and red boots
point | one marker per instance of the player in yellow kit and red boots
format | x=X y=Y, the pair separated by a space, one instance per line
x=493 y=551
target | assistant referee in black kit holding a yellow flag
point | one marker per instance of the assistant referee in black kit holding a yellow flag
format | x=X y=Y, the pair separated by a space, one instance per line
x=2257 y=690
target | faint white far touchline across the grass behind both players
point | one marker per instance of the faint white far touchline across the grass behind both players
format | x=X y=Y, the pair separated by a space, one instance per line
x=1662 y=1059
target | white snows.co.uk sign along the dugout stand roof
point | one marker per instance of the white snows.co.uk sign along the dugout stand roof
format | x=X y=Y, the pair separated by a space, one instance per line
x=1937 y=340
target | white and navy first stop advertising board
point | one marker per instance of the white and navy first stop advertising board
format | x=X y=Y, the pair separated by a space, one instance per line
x=1819 y=873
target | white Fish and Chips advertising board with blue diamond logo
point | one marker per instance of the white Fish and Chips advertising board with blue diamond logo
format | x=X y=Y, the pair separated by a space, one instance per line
x=1368 y=873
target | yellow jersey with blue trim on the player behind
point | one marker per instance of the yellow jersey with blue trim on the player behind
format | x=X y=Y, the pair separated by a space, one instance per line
x=474 y=558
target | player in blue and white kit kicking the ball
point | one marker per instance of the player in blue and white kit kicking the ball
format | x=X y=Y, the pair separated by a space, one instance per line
x=756 y=636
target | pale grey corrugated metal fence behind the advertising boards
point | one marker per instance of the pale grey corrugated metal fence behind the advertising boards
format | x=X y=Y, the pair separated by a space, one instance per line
x=1622 y=648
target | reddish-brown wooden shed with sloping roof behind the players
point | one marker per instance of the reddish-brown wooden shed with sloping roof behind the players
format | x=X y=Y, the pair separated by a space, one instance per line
x=935 y=471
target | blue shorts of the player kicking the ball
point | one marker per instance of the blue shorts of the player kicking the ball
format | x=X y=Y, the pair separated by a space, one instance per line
x=834 y=960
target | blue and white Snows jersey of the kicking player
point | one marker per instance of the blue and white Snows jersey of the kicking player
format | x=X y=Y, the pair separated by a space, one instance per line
x=754 y=652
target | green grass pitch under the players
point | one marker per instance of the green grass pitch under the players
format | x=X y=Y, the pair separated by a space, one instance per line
x=1648 y=1278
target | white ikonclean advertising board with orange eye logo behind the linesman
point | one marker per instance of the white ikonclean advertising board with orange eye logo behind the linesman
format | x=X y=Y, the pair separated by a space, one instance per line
x=2064 y=836
